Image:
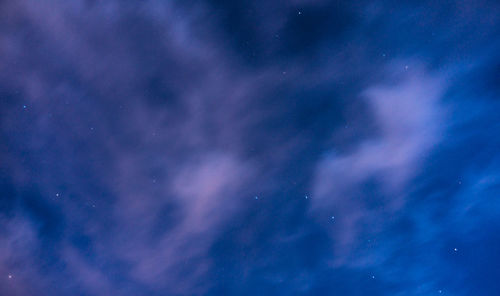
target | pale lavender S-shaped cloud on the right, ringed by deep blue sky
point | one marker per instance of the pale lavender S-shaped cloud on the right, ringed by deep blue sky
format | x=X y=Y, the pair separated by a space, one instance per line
x=370 y=182
